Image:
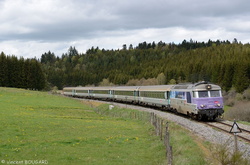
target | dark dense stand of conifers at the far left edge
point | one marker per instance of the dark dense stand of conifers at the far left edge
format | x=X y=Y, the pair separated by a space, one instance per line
x=21 y=73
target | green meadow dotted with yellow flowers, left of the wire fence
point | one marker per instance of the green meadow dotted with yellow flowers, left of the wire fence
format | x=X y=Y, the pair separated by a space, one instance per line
x=39 y=126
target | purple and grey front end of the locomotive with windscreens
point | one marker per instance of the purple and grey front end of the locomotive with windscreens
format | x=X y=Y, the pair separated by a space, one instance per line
x=209 y=101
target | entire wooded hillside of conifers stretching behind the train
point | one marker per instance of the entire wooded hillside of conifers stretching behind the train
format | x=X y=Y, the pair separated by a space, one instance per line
x=222 y=62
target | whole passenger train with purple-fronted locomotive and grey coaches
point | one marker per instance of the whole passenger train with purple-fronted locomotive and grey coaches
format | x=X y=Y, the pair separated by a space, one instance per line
x=200 y=101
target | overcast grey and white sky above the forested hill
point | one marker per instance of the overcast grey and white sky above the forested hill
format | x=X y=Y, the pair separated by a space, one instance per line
x=29 y=28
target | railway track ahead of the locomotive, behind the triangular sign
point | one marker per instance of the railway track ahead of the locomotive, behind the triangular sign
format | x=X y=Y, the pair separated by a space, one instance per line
x=226 y=127
